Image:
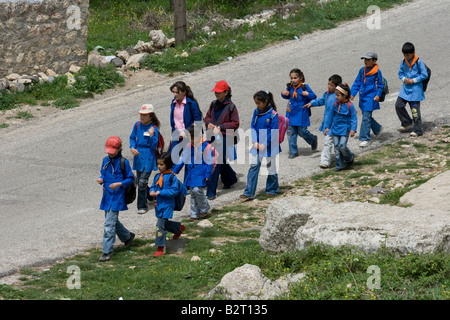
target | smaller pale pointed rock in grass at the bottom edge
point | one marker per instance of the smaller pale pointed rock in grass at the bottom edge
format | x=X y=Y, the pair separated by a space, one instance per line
x=248 y=283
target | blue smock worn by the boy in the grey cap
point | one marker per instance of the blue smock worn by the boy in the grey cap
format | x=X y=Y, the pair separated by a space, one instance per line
x=367 y=91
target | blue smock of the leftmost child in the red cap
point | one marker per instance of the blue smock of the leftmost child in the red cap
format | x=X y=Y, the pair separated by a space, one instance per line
x=111 y=172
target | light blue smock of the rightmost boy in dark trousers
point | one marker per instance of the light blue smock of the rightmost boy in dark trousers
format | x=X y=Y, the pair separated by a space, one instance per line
x=418 y=72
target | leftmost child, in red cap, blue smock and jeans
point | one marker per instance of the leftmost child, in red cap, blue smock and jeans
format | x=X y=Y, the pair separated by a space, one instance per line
x=114 y=183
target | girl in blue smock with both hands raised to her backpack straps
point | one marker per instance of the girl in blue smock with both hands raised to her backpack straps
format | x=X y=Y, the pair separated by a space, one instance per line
x=298 y=93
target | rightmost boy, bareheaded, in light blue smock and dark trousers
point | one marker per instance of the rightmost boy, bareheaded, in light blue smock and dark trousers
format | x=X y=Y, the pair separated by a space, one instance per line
x=412 y=72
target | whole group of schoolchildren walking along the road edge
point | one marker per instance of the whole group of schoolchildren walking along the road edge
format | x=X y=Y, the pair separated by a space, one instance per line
x=189 y=148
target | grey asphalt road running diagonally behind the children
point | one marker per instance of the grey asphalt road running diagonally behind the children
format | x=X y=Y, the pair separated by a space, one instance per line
x=49 y=198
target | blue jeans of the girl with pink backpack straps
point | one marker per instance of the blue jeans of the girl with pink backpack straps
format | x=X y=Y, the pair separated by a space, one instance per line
x=252 y=177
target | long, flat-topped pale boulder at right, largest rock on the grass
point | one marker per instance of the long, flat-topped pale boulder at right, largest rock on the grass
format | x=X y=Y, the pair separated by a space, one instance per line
x=294 y=223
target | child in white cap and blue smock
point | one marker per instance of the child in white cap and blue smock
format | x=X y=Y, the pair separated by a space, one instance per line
x=143 y=144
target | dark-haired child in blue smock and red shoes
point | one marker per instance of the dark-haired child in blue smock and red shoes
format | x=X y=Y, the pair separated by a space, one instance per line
x=165 y=188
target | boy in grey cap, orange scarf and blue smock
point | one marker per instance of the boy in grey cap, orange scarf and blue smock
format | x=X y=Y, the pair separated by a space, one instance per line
x=369 y=84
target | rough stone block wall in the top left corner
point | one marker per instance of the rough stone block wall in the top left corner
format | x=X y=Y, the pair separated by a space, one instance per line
x=36 y=35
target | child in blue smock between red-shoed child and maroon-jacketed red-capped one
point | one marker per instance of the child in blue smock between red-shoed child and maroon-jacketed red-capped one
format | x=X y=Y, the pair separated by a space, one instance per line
x=198 y=159
